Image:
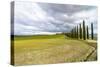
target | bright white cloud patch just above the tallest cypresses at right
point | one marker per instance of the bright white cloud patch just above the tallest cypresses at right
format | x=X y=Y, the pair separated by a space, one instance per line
x=89 y=15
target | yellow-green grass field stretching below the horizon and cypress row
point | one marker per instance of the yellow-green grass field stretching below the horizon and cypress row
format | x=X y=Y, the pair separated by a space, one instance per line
x=48 y=49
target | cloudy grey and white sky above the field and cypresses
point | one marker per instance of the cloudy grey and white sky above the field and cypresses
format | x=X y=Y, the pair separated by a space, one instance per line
x=46 y=18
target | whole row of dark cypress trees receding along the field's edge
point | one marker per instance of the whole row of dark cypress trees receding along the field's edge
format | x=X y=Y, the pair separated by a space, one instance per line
x=81 y=31
